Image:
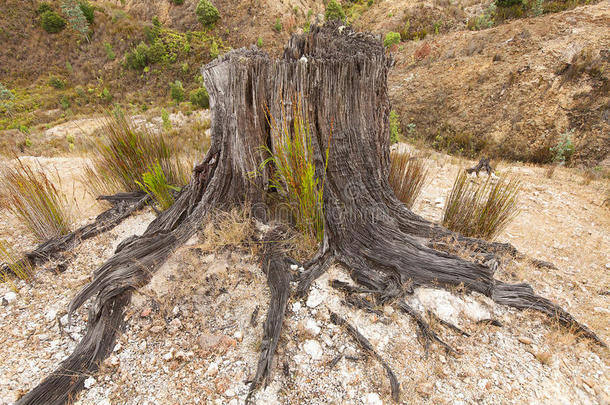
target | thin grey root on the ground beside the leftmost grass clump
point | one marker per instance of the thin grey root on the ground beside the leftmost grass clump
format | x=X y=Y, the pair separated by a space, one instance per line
x=124 y=205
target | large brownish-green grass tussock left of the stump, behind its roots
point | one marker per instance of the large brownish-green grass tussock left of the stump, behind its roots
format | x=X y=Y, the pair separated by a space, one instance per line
x=126 y=154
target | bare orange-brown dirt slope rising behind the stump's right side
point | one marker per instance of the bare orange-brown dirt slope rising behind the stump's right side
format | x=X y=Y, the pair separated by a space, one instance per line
x=511 y=90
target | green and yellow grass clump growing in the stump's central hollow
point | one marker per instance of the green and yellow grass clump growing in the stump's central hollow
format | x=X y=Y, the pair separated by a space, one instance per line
x=294 y=172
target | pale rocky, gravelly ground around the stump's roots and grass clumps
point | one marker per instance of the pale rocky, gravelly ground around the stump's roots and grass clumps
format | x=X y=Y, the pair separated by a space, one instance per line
x=193 y=333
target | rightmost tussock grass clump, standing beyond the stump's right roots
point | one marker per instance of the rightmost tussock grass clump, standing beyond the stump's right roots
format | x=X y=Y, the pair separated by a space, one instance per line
x=481 y=210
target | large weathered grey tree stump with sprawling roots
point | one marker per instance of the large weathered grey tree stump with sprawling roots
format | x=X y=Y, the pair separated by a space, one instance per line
x=341 y=76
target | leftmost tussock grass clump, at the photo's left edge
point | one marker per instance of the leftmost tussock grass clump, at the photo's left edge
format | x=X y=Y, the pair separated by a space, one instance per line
x=33 y=198
